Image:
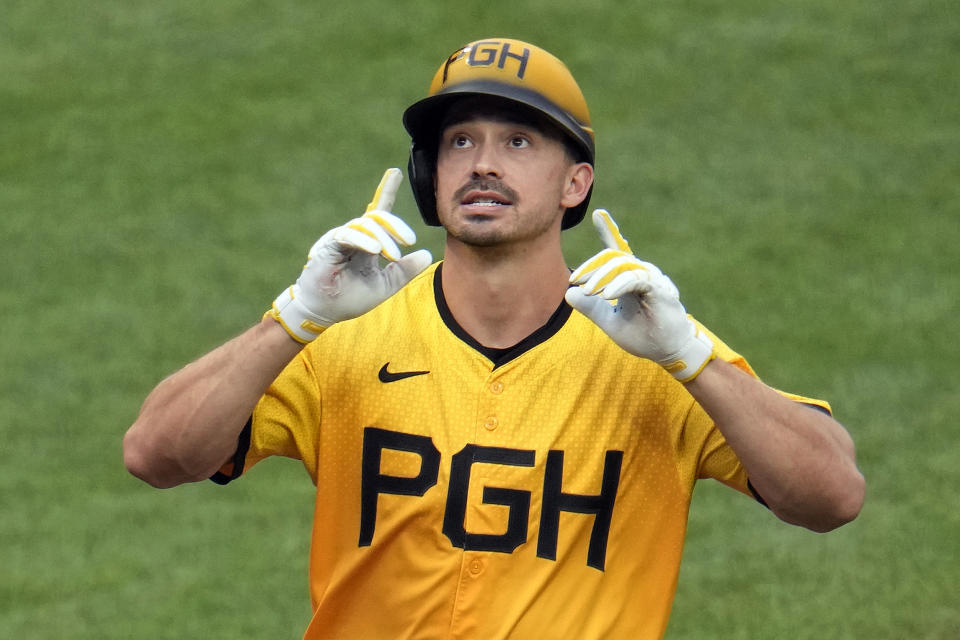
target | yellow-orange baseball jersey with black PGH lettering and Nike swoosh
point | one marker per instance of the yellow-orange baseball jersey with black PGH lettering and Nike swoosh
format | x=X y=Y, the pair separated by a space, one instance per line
x=535 y=492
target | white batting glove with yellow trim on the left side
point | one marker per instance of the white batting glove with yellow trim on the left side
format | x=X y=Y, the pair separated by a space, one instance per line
x=343 y=278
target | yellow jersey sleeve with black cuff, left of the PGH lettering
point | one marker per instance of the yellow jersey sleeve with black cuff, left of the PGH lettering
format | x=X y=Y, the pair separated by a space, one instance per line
x=284 y=422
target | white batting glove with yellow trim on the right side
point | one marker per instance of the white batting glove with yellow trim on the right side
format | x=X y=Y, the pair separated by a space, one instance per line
x=638 y=306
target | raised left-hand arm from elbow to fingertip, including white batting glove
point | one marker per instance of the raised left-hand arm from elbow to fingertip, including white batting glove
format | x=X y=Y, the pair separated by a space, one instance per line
x=189 y=424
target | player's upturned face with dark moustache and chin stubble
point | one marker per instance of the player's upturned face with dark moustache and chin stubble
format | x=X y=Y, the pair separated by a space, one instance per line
x=499 y=181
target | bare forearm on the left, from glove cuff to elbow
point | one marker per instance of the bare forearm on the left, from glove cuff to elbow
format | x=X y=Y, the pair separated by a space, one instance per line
x=189 y=424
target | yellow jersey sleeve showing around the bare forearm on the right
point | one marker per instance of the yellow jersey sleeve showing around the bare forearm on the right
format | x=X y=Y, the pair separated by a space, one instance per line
x=716 y=459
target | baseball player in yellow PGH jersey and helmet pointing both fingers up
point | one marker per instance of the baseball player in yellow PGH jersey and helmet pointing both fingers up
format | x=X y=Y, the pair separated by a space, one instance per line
x=502 y=447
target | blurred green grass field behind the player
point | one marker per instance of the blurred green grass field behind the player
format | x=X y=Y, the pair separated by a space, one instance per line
x=165 y=166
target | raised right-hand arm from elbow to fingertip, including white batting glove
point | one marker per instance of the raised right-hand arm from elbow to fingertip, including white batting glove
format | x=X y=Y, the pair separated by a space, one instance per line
x=799 y=460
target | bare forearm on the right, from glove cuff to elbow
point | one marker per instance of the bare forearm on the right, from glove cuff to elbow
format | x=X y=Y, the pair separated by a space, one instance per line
x=800 y=460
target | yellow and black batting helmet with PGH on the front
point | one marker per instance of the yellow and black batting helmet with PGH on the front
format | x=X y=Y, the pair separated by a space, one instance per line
x=512 y=70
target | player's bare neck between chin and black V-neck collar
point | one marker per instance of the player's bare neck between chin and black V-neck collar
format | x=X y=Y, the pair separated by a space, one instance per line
x=500 y=295
